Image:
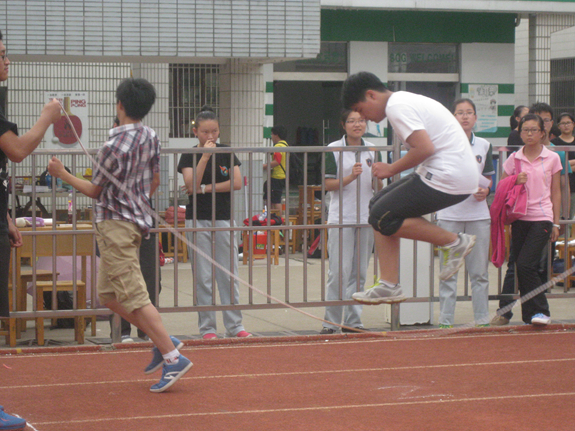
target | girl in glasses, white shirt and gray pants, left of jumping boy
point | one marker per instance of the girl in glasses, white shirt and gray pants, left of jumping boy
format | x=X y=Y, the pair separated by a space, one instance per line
x=352 y=168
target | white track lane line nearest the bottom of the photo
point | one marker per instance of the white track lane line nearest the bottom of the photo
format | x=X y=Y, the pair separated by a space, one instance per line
x=307 y=409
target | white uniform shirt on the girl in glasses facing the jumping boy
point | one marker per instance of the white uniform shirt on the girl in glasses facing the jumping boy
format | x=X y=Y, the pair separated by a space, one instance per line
x=335 y=167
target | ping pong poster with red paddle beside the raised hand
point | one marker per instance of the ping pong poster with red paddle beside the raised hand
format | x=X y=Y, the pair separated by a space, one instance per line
x=60 y=134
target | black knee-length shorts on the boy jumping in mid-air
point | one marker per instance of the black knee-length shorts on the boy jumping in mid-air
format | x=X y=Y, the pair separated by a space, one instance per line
x=407 y=198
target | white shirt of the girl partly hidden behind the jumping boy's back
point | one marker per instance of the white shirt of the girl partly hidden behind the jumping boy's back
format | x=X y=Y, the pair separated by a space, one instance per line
x=471 y=209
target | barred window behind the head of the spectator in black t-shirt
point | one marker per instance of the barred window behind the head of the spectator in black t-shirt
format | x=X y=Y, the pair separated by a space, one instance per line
x=191 y=87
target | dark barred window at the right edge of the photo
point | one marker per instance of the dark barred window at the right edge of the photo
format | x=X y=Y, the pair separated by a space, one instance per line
x=563 y=85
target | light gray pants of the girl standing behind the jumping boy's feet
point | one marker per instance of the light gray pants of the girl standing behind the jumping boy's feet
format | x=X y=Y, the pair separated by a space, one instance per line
x=476 y=263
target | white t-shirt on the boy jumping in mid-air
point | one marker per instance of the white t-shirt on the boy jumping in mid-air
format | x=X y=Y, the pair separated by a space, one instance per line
x=452 y=168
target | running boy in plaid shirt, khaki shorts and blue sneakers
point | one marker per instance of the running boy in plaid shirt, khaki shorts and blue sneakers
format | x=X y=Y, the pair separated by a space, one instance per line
x=132 y=156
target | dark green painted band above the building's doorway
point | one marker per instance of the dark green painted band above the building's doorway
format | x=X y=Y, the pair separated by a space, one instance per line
x=416 y=26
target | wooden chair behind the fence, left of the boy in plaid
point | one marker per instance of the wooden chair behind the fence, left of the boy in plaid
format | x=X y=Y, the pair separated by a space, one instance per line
x=64 y=247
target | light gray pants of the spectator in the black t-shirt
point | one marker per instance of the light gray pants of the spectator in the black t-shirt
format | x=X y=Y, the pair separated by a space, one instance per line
x=203 y=276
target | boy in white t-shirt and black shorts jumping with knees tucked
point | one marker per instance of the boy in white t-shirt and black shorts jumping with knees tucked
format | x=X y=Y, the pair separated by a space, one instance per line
x=446 y=174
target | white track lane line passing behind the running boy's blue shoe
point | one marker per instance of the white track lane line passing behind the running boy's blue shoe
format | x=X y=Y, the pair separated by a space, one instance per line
x=300 y=373
